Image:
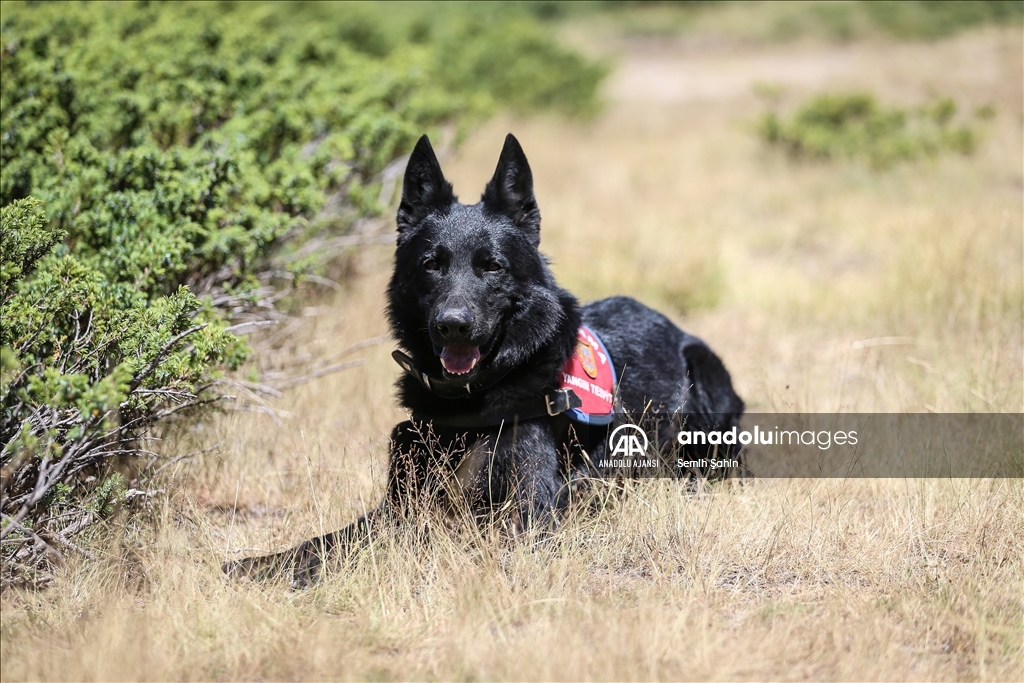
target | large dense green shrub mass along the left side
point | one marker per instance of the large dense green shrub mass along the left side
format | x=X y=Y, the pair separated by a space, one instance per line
x=161 y=162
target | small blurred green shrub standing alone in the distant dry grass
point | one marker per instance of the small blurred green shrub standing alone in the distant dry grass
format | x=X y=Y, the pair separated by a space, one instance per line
x=856 y=126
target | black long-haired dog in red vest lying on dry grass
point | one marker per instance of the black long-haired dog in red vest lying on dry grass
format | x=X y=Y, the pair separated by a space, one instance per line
x=489 y=337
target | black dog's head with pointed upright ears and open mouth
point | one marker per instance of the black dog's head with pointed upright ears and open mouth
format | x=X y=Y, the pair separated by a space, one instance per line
x=472 y=293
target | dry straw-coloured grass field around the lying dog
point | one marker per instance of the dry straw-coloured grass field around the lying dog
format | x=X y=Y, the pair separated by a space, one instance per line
x=668 y=196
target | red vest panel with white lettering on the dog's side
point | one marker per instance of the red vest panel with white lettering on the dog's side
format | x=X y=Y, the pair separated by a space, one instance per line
x=590 y=374
